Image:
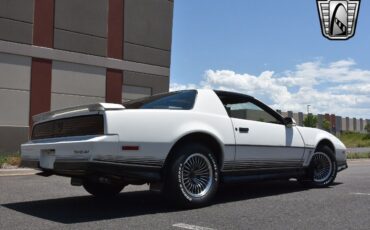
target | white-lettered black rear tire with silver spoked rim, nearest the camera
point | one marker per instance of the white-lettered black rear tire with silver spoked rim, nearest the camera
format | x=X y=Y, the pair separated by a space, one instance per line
x=192 y=177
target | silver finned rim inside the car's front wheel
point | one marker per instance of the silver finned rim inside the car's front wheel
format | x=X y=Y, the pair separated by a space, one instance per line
x=322 y=167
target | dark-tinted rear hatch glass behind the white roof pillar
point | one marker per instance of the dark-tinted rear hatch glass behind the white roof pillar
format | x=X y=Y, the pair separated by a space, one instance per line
x=180 y=100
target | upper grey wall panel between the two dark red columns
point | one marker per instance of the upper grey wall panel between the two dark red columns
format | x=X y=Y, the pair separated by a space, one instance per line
x=81 y=26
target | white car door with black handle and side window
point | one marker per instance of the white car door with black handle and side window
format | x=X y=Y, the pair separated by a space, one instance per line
x=262 y=139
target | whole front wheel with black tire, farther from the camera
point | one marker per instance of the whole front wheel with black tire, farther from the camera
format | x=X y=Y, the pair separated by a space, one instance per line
x=322 y=170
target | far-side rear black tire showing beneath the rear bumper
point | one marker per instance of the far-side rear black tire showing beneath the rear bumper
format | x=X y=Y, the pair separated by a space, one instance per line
x=102 y=190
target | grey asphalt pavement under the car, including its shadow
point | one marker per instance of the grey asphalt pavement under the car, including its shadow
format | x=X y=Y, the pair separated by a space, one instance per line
x=34 y=202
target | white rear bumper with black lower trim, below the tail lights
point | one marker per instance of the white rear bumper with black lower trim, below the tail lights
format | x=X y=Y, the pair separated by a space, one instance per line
x=75 y=157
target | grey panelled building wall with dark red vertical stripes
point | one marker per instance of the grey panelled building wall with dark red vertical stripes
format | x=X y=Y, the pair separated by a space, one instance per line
x=60 y=53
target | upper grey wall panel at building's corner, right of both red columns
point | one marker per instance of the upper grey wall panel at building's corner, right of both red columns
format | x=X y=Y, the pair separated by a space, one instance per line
x=147 y=35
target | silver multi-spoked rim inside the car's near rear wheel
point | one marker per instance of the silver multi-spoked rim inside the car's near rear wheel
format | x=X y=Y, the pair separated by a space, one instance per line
x=197 y=175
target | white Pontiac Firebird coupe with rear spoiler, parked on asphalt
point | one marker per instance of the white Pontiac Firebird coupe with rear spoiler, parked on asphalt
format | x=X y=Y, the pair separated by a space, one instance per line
x=182 y=143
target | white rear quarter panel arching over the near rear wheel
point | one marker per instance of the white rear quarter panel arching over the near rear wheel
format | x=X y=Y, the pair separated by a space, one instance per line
x=156 y=131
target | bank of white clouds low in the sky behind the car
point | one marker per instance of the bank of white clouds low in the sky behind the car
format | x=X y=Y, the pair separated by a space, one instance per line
x=336 y=87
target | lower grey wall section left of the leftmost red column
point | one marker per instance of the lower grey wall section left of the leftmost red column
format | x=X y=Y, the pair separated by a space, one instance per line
x=14 y=100
